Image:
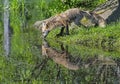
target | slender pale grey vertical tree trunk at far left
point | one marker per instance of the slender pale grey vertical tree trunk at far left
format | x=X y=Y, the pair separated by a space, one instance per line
x=6 y=28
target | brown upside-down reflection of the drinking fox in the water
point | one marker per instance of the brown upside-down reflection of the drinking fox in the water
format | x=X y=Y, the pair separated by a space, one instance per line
x=58 y=57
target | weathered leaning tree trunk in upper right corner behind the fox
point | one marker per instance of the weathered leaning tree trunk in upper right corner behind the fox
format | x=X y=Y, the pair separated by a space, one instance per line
x=110 y=10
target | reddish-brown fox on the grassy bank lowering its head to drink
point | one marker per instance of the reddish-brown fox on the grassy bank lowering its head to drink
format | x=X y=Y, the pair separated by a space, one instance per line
x=64 y=19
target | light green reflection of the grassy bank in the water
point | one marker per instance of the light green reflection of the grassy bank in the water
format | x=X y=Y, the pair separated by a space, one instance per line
x=82 y=51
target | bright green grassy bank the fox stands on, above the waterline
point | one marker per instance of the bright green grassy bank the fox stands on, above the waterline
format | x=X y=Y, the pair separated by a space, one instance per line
x=96 y=37
